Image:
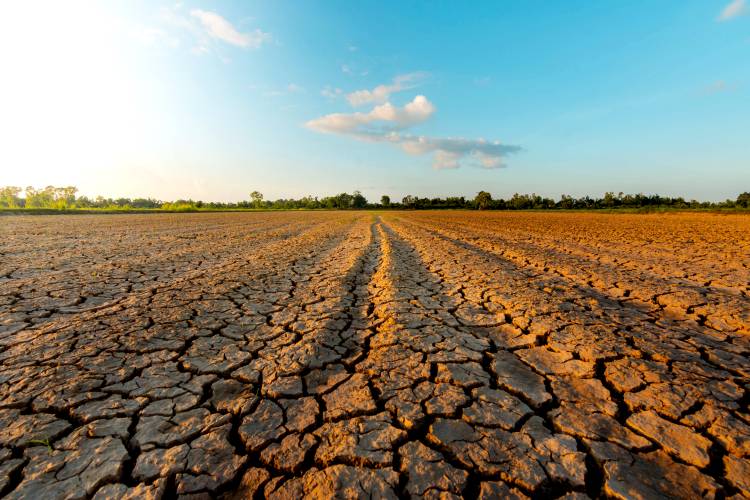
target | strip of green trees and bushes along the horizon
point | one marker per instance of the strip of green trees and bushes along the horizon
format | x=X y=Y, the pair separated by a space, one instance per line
x=65 y=198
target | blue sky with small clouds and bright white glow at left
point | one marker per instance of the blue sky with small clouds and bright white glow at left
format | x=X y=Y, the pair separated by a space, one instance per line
x=214 y=99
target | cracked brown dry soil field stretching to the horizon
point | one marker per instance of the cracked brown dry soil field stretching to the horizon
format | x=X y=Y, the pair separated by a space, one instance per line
x=435 y=354
